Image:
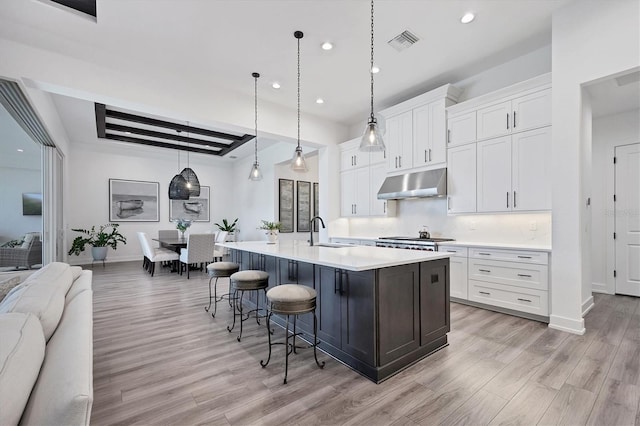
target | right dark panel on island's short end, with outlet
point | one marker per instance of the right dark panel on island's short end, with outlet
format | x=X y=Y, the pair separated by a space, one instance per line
x=434 y=300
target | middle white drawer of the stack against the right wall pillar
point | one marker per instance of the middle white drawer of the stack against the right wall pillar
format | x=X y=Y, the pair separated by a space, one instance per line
x=510 y=273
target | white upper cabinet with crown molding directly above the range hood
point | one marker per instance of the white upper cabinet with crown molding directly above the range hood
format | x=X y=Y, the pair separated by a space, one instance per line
x=417 y=131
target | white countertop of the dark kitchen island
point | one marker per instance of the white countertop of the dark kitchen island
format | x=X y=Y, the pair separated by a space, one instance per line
x=352 y=258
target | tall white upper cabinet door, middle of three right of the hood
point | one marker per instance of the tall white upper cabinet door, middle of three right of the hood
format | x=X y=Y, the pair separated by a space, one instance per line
x=494 y=175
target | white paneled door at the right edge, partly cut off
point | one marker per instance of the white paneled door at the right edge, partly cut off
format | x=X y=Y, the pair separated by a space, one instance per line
x=627 y=219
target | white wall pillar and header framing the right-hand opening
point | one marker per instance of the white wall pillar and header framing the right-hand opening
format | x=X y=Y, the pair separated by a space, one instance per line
x=591 y=40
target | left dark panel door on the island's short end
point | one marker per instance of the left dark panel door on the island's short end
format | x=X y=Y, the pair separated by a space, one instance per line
x=399 y=321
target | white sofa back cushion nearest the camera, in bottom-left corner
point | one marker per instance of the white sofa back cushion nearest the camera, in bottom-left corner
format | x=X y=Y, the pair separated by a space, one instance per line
x=21 y=354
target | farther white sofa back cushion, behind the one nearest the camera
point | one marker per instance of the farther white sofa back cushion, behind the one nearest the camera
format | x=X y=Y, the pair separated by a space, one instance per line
x=43 y=295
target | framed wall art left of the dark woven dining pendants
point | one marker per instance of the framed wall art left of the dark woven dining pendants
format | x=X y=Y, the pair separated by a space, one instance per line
x=133 y=201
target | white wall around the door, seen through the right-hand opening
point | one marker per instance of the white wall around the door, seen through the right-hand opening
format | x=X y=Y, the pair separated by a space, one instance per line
x=608 y=132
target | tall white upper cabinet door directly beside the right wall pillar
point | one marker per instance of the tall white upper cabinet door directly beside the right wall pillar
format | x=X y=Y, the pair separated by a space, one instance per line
x=531 y=169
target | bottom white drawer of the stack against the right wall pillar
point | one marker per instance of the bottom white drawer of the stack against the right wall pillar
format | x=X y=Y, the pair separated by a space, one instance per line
x=519 y=299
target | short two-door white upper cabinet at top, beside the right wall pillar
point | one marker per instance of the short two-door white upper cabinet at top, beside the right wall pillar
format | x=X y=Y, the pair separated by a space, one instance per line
x=516 y=115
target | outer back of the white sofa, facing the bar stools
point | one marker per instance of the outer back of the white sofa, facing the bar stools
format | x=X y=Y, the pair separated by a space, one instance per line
x=63 y=394
